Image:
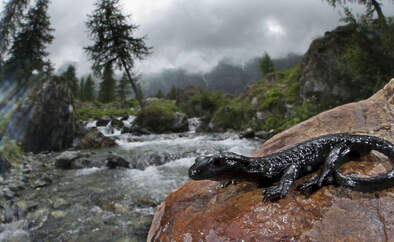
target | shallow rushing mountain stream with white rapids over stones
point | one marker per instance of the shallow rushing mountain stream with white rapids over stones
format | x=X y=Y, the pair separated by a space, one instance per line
x=101 y=204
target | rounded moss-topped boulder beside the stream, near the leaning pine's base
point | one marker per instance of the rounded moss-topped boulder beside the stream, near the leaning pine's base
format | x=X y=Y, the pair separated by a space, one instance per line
x=158 y=116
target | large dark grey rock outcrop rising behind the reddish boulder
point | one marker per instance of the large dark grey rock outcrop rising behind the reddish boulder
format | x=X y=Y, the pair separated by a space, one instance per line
x=326 y=75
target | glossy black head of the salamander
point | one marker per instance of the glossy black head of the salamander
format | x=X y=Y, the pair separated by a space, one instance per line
x=215 y=167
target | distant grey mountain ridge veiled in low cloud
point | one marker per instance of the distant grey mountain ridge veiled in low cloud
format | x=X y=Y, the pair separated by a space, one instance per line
x=225 y=76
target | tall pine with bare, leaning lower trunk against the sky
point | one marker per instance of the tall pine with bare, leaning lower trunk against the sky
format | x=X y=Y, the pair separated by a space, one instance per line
x=114 y=41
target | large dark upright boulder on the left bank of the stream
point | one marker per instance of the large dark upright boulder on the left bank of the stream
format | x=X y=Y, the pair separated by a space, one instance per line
x=45 y=120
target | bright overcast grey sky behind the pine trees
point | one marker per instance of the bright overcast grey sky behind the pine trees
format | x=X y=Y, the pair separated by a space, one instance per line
x=196 y=34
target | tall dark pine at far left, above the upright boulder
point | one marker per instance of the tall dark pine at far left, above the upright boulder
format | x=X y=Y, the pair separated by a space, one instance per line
x=28 y=51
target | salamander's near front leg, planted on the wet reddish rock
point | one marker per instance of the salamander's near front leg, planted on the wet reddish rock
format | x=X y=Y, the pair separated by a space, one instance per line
x=288 y=178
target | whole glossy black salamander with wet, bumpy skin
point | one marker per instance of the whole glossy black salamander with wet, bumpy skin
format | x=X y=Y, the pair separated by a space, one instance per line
x=329 y=151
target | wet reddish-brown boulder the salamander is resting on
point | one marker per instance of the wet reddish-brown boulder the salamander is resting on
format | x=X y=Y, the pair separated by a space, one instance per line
x=198 y=211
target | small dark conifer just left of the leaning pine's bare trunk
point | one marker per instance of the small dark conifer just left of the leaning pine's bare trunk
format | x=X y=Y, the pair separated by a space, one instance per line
x=107 y=86
